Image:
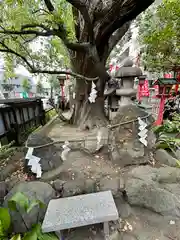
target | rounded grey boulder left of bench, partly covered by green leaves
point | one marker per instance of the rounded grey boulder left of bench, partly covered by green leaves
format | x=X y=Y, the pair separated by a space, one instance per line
x=33 y=190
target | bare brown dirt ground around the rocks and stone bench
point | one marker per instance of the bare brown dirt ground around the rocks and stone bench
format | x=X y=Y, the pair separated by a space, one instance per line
x=134 y=223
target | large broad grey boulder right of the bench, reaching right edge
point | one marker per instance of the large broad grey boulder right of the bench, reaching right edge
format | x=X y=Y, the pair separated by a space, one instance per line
x=149 y=195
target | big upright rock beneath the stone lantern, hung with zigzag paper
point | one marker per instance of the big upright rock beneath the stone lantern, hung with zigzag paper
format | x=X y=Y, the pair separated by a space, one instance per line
x=126 y=147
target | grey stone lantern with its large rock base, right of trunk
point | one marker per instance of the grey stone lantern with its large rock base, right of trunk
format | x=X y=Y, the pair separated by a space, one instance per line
x=126 y=147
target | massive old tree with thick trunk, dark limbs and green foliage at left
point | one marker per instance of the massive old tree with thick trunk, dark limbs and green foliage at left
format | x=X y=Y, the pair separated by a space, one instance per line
x=84 y=31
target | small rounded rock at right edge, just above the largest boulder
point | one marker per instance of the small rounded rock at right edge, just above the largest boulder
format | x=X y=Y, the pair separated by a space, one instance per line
x=163 y=157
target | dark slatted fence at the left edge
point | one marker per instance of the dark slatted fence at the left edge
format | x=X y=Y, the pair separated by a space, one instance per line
x=18 y=117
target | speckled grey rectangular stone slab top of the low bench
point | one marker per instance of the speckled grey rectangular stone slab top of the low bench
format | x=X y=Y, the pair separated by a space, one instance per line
x=82 y=210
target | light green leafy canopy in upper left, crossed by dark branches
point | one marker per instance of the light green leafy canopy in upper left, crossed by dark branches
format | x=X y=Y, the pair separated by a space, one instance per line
x=40 y=46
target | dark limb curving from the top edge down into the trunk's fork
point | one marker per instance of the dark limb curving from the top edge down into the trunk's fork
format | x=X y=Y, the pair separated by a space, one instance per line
x=84 y=11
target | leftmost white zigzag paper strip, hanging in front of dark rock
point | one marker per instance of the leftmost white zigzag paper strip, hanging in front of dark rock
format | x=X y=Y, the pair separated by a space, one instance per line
x=34 y=163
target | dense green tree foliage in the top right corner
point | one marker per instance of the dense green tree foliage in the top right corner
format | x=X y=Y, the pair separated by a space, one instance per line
x=159 y=34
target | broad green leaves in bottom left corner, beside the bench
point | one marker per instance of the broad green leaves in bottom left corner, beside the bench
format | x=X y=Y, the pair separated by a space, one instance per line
x=20 y=201
